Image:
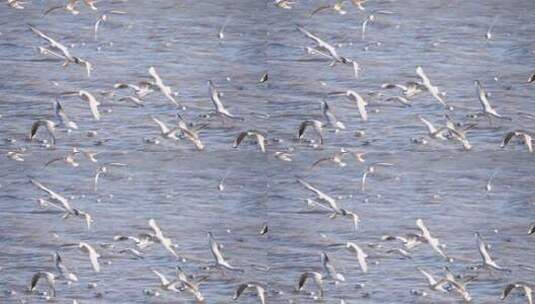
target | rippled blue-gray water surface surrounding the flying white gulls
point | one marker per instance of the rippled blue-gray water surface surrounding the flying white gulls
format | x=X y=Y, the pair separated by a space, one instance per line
x=177 y=185
